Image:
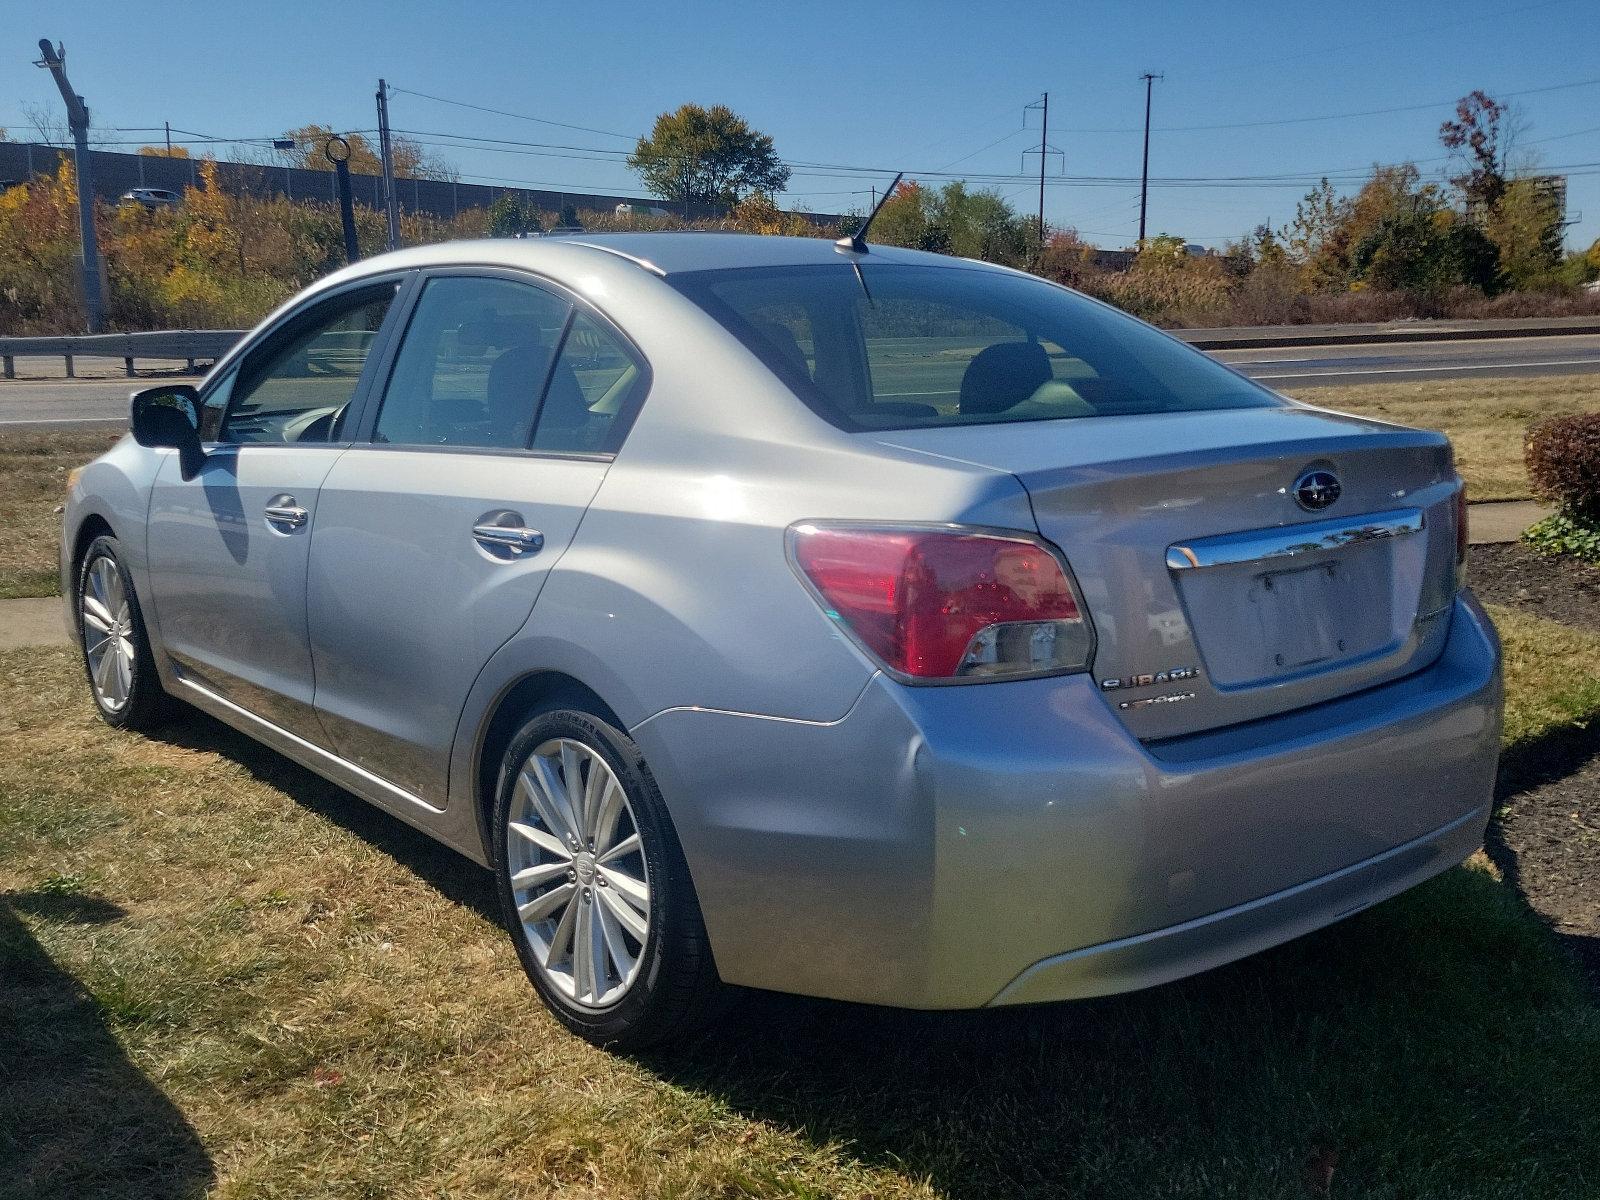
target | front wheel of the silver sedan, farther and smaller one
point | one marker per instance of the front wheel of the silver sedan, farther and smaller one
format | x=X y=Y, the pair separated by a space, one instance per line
x=116 y=649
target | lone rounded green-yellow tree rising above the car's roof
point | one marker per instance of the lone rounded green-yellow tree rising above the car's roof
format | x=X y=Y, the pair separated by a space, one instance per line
x=708 y=156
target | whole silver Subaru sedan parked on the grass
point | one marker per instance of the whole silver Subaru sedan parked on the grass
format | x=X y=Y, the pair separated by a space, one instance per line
x=822 y=618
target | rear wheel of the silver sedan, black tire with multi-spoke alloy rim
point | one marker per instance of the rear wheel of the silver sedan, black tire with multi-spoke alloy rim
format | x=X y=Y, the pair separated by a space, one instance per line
x=650 y=974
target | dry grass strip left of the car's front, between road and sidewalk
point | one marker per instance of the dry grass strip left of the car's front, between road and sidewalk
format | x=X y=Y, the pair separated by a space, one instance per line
x=33 y=484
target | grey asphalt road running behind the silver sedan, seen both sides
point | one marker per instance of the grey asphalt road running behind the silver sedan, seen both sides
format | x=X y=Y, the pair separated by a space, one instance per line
x=65 y=404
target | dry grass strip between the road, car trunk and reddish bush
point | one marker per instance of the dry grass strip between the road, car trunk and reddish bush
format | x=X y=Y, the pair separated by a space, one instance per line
x=1484 y=418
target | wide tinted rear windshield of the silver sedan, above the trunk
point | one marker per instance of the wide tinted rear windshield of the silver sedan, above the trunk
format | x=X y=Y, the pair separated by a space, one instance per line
x=911 y=346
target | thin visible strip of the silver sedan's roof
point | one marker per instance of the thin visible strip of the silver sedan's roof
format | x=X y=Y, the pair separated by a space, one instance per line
x=666 y=254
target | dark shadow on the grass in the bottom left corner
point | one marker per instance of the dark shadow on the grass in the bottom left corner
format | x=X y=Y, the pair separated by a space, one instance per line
x=78 y=1119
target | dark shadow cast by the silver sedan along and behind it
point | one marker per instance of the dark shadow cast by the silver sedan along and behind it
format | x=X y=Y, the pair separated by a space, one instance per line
x=1434 y=1046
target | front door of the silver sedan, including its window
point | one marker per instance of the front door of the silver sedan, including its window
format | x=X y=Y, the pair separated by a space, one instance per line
x=230 y=548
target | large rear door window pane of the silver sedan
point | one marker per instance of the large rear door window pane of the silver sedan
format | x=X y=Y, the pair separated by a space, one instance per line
x=473 y=364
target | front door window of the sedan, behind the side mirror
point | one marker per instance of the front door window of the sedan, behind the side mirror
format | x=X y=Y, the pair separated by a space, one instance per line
x=297 y=388
